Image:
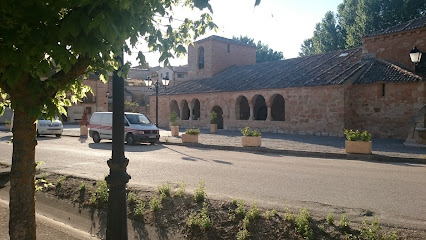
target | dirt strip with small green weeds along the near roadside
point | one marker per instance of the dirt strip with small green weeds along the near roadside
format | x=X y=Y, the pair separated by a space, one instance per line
x=178 y=212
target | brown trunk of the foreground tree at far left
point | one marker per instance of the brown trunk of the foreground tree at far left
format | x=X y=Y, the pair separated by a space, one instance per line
x=22 y=205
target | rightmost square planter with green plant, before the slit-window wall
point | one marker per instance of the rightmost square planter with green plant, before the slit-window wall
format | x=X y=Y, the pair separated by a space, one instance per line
x=357 y=142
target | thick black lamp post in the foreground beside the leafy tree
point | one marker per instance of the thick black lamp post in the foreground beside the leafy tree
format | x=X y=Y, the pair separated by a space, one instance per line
x=118 y=177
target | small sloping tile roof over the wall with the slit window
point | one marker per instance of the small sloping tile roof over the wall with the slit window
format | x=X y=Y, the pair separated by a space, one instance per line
x=382 y=71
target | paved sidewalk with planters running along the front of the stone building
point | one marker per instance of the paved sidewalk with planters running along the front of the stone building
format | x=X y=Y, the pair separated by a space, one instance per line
x=388 y=150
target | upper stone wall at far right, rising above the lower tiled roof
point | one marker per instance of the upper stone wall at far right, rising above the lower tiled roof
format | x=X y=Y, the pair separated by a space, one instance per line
x=396 y=47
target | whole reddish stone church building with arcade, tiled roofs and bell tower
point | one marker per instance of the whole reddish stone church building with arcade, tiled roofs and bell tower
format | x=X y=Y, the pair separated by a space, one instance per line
x=372 y=88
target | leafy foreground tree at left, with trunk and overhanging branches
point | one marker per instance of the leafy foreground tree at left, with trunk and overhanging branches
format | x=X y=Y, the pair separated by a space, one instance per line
x=45 y=48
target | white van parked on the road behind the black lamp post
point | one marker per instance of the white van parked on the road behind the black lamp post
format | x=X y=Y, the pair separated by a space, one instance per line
x=137 y=128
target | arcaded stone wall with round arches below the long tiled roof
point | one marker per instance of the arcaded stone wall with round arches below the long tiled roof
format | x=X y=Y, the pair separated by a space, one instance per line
x=308 y=110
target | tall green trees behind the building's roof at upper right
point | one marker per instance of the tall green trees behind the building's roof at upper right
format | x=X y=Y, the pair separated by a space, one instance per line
x=357 y=18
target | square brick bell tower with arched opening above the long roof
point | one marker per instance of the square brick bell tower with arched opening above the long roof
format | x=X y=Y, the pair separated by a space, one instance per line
x=212 y=55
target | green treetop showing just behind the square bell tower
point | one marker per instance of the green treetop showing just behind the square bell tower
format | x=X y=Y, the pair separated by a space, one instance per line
x=263 y=52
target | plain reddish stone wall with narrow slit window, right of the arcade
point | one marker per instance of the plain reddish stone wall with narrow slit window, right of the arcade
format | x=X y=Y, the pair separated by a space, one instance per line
x=387 y=116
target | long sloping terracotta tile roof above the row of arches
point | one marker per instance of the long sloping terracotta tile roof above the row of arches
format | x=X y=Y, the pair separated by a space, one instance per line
x=318 y=70
